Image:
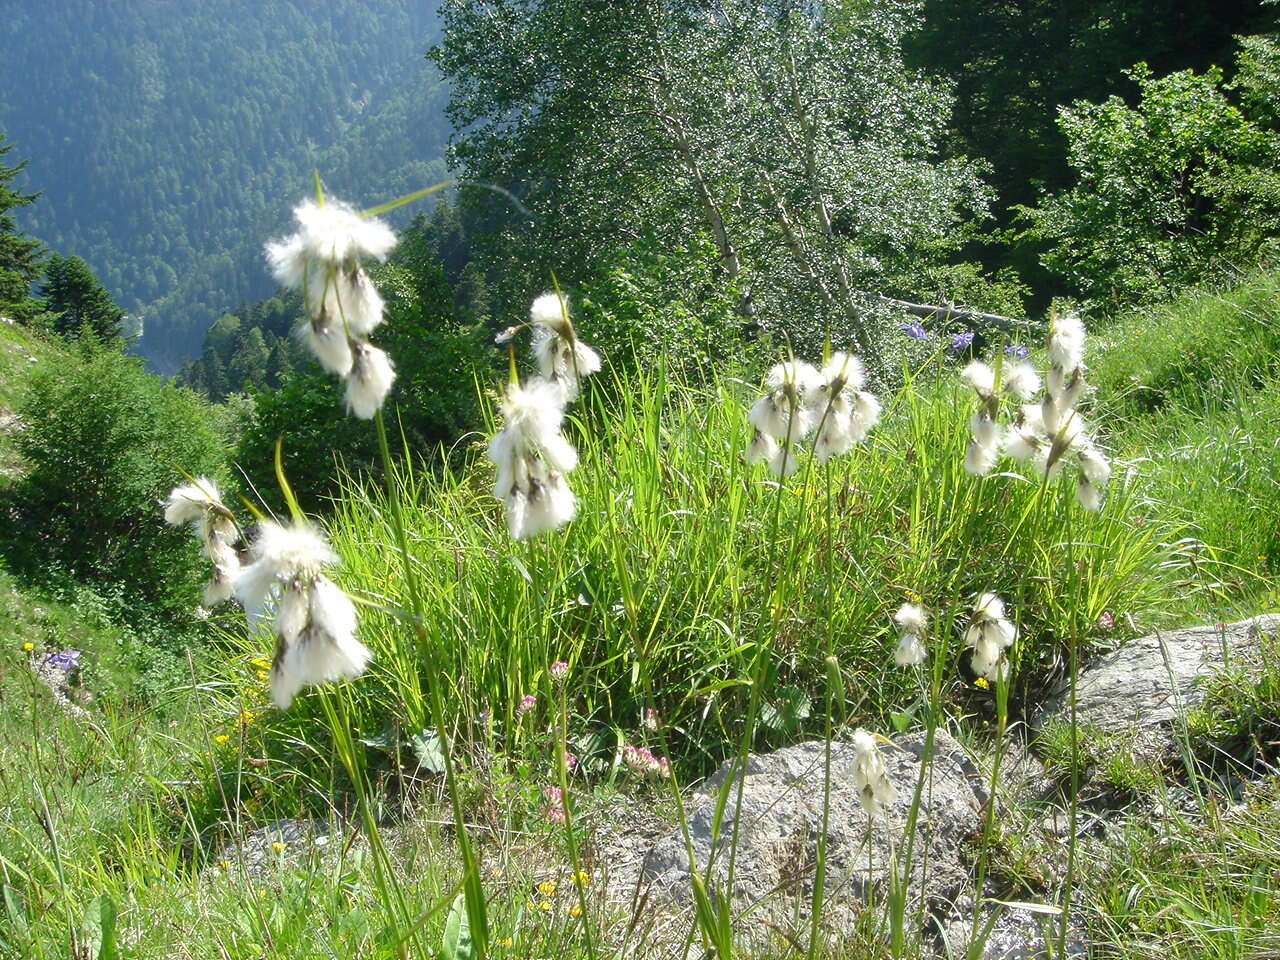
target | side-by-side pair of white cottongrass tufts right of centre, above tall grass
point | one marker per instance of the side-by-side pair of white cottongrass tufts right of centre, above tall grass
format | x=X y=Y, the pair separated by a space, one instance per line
x=801 y=400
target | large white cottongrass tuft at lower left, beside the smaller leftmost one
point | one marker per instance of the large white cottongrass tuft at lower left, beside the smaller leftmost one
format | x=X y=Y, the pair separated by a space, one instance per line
x=316 y=621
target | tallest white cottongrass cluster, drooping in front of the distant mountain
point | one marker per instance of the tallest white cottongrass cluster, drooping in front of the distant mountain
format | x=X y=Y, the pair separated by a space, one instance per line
x=323 y=260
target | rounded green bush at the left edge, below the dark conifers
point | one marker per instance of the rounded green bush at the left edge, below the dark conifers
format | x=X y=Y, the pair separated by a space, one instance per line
x=103 y=444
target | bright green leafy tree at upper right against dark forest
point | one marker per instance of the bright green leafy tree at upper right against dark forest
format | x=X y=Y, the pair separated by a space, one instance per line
x=1173 y=191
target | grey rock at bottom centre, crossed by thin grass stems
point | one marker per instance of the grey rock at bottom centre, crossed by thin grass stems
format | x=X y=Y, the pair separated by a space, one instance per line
x=780 y=821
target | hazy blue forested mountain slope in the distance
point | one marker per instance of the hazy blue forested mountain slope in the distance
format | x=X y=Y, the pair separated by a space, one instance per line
x=172 y=139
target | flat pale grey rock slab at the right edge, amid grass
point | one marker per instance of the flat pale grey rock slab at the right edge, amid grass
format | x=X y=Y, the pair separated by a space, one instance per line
x=1141 y=689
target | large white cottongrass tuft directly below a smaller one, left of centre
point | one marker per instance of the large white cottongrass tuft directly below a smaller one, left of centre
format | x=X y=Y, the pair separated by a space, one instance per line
x=533 y=458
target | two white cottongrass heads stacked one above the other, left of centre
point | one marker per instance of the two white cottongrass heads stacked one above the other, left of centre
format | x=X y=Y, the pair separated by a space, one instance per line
x=532 y=456
